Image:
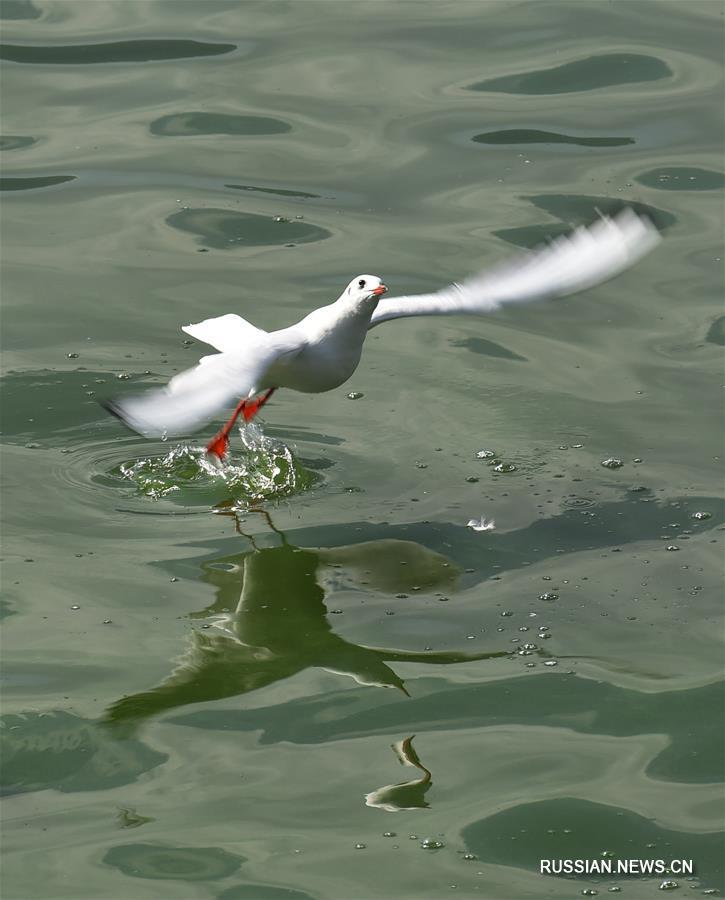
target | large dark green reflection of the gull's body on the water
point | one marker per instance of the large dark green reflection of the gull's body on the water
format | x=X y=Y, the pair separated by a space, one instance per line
x=278 y=625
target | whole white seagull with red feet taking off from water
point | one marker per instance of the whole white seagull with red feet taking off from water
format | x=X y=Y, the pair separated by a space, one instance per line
x=323 y=350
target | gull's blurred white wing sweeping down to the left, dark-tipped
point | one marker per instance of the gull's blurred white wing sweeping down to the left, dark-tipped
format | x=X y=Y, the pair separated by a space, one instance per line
x=193 y=397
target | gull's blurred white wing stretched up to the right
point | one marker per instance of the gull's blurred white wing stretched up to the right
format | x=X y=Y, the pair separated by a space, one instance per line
x=586 y=257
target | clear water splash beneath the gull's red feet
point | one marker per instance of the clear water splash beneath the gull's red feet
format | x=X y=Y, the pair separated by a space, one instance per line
x=264 y=469
